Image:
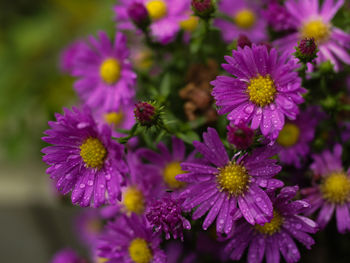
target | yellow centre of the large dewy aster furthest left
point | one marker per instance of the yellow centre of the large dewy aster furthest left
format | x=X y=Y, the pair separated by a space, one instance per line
x=93 y=152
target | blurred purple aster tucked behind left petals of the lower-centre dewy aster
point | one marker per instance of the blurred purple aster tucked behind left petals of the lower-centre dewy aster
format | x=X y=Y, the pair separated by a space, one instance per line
x=166 y=164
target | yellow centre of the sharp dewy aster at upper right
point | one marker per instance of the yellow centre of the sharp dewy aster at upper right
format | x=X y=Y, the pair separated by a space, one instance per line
x=261 y=90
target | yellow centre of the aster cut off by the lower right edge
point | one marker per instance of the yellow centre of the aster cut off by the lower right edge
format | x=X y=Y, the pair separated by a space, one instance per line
x=336 y=188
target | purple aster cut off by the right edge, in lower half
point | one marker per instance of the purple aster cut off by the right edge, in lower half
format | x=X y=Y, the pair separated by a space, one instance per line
x=333 y=192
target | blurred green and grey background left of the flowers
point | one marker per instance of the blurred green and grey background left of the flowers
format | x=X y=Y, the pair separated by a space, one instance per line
x=34 y=223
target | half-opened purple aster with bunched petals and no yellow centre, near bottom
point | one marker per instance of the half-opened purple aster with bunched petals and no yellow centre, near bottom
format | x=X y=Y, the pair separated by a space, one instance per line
x=165 y=215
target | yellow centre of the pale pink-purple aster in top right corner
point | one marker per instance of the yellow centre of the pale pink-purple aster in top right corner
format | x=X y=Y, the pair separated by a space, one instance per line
x=316 y=29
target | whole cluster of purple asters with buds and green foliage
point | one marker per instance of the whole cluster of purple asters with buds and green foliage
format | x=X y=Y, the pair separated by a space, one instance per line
x=132 y=150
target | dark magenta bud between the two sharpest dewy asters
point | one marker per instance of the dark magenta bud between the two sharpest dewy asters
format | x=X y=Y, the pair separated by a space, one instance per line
x=241 y=136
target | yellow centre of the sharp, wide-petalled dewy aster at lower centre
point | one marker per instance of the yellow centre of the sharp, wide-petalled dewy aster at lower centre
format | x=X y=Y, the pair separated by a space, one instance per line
x=234 y=179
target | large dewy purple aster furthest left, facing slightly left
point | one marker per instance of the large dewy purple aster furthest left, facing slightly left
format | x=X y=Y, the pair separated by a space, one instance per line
x=84 y=159
